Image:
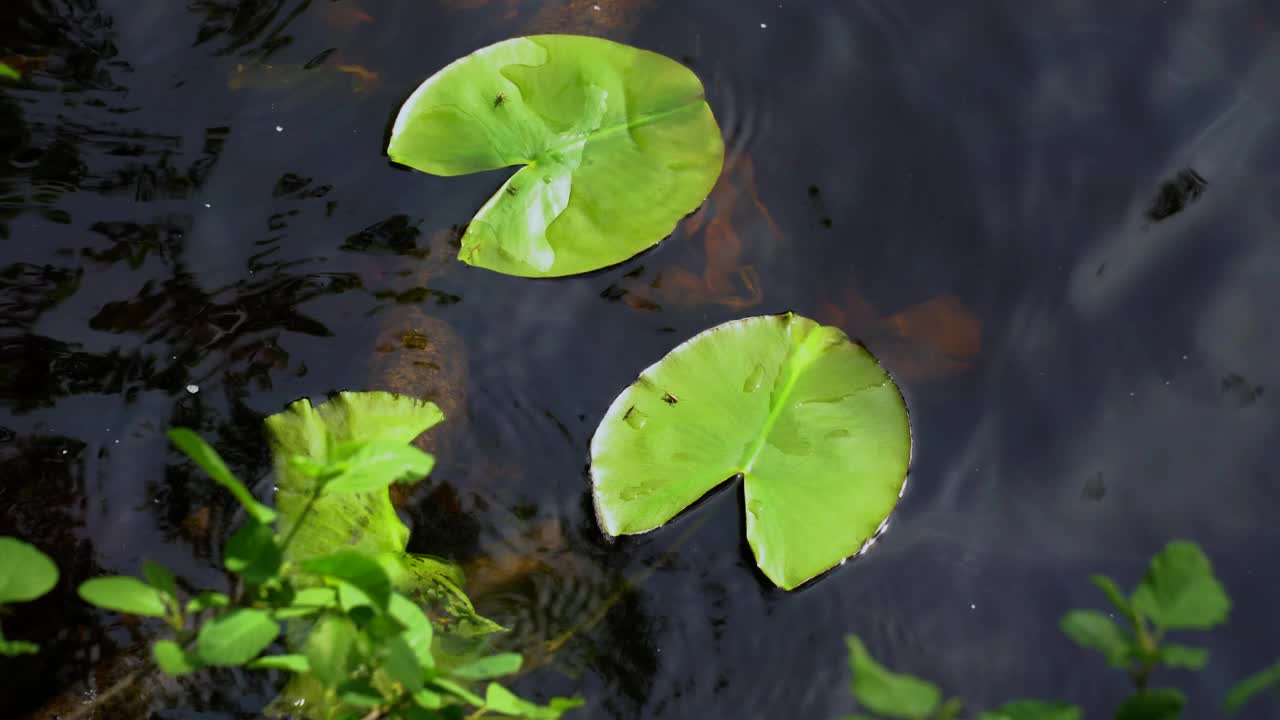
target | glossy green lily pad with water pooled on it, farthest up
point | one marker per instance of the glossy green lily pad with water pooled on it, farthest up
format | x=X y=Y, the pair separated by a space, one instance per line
x=618 y=145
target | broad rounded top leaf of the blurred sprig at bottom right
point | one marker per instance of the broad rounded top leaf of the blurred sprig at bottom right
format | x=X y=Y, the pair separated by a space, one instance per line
x=1181 y=591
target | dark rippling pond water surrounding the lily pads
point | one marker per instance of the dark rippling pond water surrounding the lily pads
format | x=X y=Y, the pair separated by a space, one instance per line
x=1055 y=222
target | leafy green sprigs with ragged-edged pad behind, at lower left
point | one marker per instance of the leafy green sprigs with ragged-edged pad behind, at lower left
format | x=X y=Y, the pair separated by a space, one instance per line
x=324 y=580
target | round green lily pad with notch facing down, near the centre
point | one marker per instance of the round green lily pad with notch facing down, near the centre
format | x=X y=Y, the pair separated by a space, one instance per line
x=811 y=421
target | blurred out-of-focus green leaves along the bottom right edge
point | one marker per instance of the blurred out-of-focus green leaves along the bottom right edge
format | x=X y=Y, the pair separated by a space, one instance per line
x=1180 y=593
